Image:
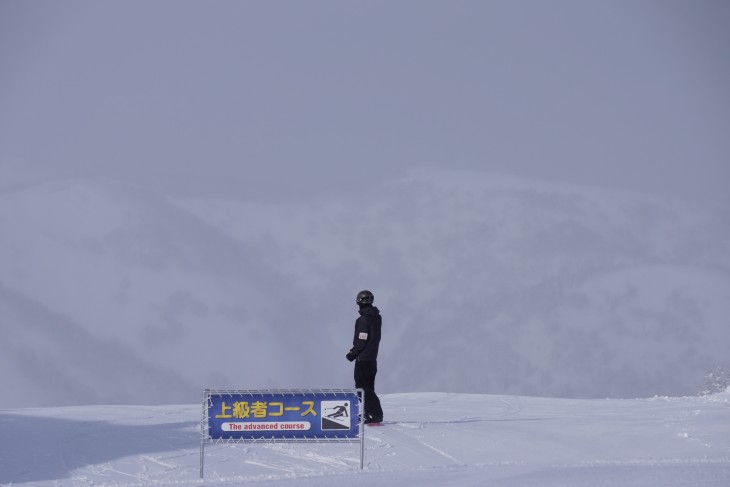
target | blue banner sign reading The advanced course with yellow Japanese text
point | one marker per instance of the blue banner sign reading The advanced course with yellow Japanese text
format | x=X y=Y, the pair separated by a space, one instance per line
x=274 y=415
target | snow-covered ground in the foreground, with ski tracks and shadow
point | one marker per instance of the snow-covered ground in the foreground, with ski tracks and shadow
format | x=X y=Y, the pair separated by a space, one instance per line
x=430 y=439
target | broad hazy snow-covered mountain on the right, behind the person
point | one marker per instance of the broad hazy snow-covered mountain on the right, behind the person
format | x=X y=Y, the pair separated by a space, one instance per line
x=540 y=289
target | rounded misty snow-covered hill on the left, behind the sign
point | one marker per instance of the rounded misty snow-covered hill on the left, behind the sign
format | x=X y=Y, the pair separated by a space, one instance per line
x=126 y=267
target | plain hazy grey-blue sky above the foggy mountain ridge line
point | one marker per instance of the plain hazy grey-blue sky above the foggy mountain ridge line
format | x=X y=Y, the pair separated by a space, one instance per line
x=288 y=98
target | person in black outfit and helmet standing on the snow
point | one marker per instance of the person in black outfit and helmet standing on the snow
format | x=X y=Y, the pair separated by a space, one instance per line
x=364 y=352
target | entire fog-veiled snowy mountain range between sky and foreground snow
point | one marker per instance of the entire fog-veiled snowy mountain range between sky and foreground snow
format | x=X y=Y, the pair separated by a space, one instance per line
x=112 y=293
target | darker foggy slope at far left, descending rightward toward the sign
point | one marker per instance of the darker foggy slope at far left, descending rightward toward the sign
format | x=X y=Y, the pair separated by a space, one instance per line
x=45 y=358
